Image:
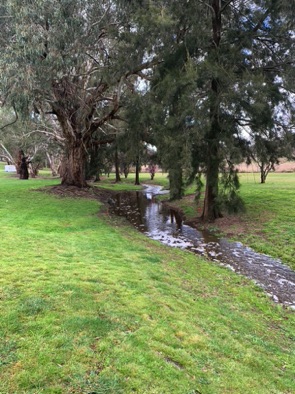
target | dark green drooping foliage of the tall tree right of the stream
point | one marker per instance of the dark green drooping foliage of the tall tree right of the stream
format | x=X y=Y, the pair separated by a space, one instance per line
x=238 y=82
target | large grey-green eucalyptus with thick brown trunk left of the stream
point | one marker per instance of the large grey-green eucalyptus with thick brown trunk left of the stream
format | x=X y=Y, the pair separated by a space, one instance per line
x=70 y=60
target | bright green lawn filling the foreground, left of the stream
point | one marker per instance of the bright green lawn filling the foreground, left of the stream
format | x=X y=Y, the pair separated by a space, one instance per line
x=88 y=305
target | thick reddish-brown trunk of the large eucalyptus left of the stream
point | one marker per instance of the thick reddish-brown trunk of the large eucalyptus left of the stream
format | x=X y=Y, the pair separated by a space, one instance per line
x=73 y=173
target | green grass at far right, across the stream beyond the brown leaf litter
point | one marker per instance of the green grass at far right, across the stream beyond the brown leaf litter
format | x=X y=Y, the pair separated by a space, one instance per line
x=271 y=214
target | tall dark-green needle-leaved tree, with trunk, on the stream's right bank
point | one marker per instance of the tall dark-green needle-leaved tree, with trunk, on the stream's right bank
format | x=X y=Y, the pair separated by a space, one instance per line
x=243 y=55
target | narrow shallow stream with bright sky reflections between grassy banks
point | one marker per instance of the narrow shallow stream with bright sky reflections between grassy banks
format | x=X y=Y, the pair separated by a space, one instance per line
x=166 y=225
